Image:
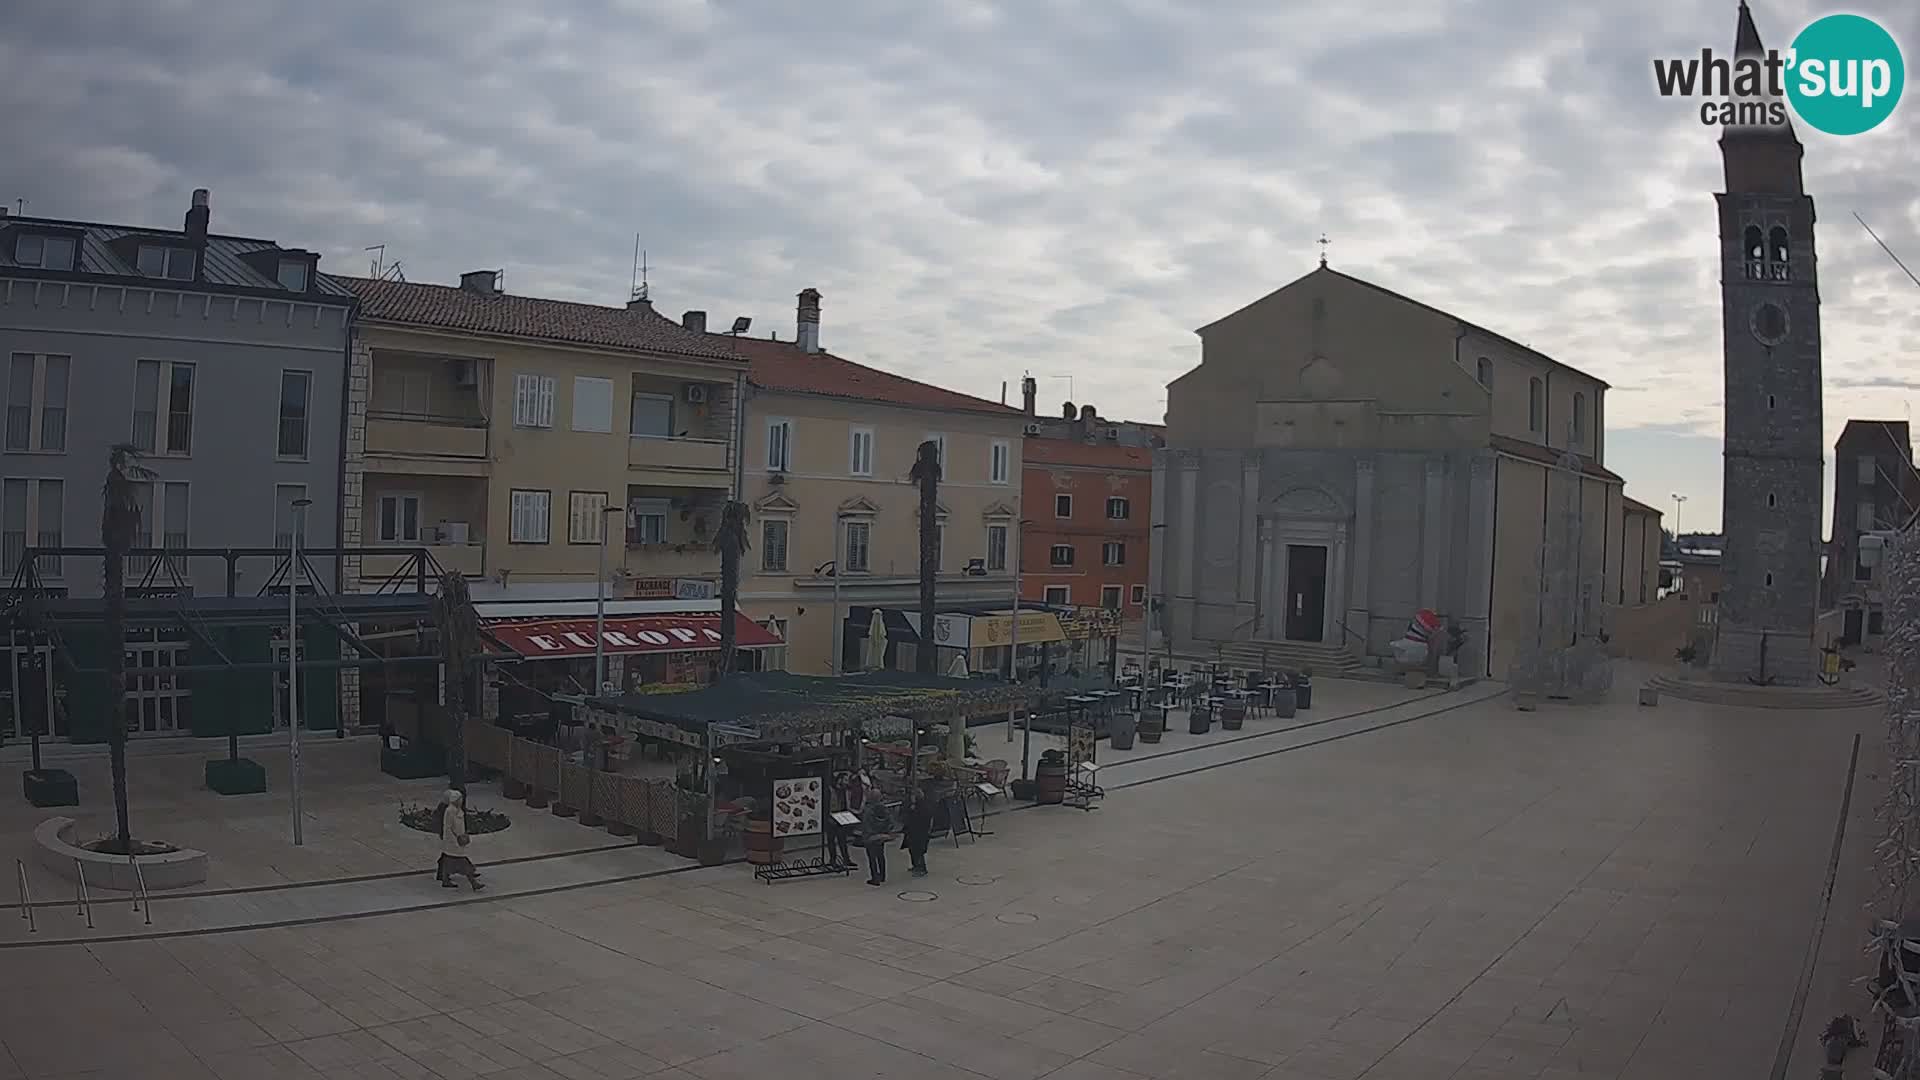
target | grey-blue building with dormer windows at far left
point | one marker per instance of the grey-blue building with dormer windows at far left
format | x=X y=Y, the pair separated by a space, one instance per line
x=222 y=360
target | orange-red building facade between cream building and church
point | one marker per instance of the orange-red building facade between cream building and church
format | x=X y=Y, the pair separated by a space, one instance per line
x=1086 y=524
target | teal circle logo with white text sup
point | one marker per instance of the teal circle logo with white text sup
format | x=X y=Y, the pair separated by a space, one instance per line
x=1844 y=74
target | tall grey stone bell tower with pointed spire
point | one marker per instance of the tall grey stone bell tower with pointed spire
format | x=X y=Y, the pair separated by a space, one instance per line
x=1775 y=468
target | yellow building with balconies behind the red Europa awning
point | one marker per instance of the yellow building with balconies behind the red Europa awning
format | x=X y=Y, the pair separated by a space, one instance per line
x=504 y=435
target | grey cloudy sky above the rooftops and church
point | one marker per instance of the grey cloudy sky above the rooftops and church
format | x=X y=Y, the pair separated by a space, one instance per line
x=982 y=189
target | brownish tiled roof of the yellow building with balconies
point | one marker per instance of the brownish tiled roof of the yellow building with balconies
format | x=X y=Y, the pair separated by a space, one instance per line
x=454 y=308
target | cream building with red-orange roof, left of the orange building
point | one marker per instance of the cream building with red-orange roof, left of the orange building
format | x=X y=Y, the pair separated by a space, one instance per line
x=828 y=451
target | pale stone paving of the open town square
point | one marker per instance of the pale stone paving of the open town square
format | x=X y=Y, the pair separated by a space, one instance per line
x=1479 y=895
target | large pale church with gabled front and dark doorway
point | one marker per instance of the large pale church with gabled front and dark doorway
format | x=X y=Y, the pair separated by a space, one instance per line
x=1345 y=456
